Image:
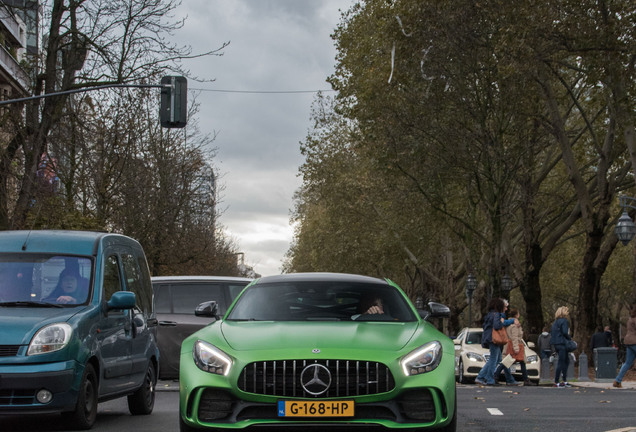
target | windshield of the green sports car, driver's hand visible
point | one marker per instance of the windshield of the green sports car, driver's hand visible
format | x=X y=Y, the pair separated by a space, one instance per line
x=321 y=301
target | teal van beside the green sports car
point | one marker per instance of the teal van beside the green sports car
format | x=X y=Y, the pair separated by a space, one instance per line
x=78 y=325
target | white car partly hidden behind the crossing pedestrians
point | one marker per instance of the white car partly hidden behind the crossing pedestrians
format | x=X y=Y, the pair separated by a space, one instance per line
x=470 y=357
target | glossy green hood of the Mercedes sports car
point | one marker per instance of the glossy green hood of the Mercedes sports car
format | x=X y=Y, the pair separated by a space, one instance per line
x=270 y=335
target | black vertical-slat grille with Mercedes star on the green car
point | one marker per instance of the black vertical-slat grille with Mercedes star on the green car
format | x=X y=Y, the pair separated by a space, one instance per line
x=347 y=378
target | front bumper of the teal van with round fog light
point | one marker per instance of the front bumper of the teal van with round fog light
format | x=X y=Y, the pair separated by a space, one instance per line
x=19 y=385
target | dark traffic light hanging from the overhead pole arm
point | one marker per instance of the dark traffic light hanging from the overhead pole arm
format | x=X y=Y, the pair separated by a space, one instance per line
x=173 y=112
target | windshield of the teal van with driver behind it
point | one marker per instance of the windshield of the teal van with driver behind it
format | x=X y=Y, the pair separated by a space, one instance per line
x=44 y=280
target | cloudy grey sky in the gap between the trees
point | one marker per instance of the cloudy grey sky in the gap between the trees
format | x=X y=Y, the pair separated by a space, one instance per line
x=275 y=45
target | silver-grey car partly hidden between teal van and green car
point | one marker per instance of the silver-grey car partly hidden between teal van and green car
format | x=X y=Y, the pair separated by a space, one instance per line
x=176 y=298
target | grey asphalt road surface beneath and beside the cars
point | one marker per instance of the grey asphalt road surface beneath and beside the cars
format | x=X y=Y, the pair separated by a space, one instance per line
x=591 y=408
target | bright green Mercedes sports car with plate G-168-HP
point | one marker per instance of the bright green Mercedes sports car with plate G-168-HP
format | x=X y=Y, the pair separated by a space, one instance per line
x=318 y=350
